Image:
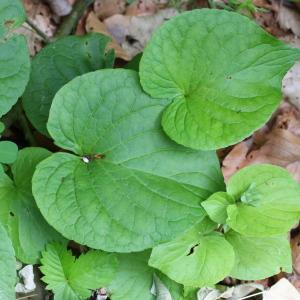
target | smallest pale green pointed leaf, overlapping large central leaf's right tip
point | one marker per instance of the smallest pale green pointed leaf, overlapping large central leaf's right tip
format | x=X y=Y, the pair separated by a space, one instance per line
x=216 y=205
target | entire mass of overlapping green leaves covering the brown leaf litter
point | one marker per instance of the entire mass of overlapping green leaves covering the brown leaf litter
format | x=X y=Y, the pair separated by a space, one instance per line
x=120 y=184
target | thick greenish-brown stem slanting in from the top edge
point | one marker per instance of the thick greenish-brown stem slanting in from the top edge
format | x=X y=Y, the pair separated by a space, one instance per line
x=71 y=20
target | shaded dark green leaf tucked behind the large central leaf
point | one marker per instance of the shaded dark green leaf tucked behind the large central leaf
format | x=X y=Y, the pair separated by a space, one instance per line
x=58 y=63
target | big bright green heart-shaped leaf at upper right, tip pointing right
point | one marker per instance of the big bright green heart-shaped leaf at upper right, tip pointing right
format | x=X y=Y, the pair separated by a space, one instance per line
x=222 y=72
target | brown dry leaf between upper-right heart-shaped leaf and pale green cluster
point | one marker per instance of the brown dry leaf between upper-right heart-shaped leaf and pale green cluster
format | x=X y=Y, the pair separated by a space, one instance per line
x=277 y=143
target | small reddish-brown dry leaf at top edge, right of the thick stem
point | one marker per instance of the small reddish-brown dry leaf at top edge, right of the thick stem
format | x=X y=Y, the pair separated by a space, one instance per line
x=107 y=8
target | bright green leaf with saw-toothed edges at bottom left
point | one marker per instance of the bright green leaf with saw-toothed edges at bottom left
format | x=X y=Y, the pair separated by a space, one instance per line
x=75 y=279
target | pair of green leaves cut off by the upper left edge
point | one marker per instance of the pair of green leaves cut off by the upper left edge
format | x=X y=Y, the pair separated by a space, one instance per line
x=14 y=58
